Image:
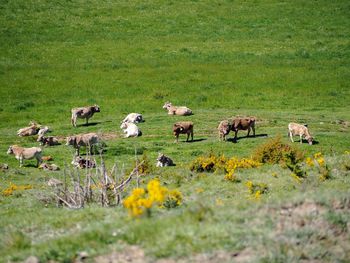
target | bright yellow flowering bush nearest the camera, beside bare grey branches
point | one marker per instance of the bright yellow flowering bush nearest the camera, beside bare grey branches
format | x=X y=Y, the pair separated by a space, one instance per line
x=142 y=200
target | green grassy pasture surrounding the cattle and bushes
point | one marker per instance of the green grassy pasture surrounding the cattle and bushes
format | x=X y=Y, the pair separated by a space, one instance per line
x=277 y=60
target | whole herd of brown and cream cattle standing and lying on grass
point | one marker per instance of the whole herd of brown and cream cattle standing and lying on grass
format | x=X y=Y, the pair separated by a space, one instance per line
x=129 y=127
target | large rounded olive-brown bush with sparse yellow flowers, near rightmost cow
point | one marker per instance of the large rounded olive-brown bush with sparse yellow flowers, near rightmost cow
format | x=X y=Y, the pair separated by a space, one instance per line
x=276 y=152
